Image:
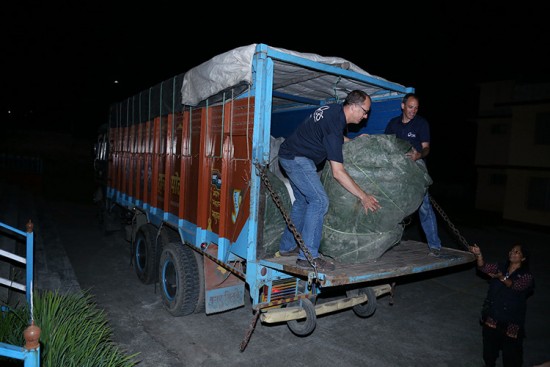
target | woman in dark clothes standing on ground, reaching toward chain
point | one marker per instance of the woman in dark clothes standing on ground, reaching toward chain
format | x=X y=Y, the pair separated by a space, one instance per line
x=504 y=322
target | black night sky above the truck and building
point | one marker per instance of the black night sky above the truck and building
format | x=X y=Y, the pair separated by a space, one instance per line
x=61 y=59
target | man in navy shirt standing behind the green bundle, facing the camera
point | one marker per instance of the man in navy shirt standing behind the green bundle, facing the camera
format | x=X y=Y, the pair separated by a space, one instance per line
x=416 y=130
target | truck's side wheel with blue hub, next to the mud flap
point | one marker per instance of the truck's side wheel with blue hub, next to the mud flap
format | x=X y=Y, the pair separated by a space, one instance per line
x=179 y=279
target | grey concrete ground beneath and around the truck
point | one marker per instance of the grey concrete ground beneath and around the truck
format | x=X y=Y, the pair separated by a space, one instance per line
x=431 y=320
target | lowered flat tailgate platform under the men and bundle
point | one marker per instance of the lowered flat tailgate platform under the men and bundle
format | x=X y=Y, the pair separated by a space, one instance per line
x=405 y=258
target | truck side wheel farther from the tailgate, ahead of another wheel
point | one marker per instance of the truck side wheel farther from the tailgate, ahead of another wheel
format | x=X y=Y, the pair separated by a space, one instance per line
x=145 y=254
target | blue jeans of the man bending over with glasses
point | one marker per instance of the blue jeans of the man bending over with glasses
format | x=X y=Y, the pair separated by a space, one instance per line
x=309 y=207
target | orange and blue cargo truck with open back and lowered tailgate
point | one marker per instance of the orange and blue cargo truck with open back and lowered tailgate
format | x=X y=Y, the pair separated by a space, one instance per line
x=185 y=166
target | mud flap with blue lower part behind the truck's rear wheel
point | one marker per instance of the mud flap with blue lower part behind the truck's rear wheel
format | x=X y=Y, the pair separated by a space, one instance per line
x=223 y=290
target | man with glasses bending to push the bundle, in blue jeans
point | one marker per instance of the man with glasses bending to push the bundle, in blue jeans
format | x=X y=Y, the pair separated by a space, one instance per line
x=318 y=139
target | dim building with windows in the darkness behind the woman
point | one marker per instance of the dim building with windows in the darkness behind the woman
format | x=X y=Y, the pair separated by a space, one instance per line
x=513 y=168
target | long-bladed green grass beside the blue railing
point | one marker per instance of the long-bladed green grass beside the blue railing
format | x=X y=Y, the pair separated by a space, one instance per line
x=74 y=332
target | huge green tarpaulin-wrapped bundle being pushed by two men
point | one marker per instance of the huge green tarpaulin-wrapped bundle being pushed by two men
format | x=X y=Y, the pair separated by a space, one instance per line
x=379 y=166
